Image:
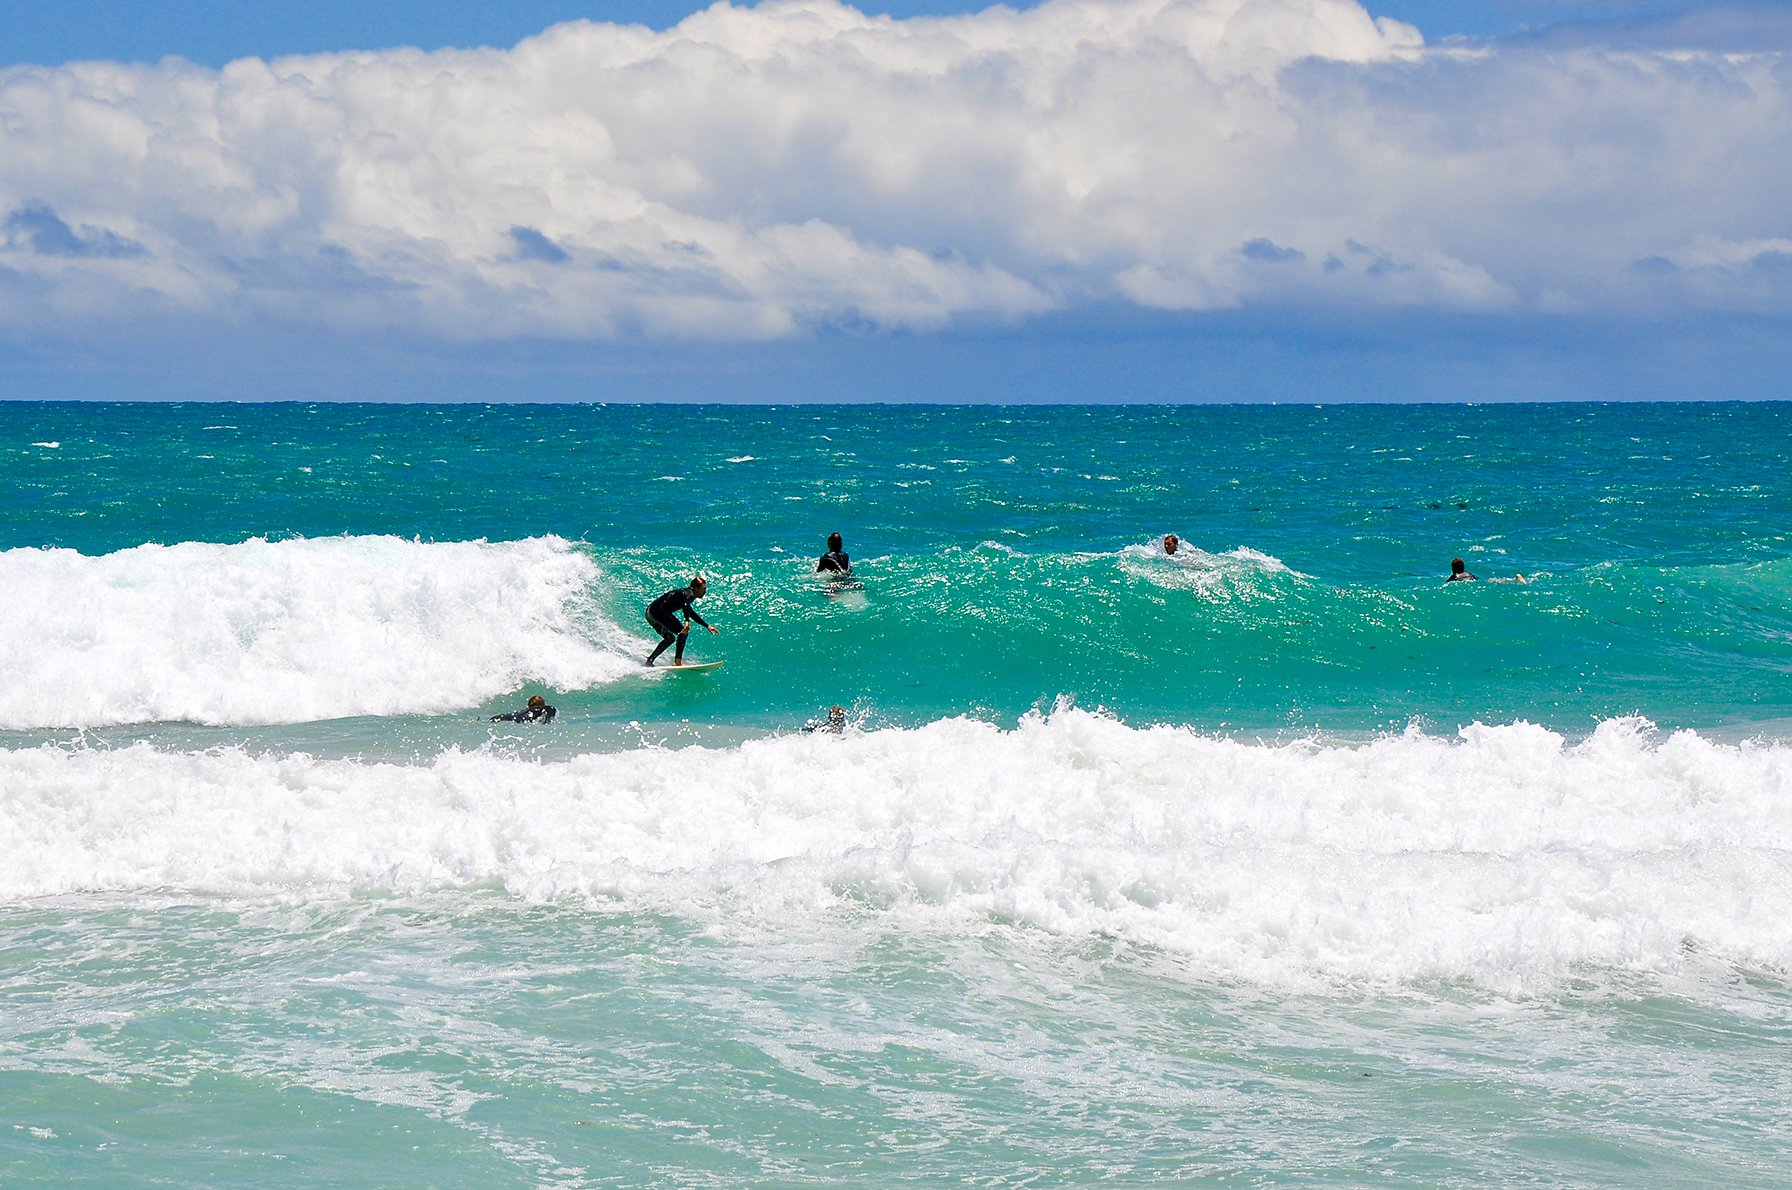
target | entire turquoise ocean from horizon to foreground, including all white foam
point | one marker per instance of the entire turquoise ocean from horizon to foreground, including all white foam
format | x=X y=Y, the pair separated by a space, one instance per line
x=1277 y=861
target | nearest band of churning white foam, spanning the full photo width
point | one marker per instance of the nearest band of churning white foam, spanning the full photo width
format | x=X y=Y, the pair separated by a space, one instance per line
x=1503 y=856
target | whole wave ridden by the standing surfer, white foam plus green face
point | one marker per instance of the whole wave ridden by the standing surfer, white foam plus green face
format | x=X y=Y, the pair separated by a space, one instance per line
x=311 y=630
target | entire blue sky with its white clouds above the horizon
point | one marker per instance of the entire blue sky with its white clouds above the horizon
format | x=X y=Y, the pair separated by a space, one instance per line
x=1083 y=200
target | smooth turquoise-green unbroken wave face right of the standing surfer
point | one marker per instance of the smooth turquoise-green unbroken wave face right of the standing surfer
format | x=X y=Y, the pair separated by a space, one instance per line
x=1236 y=641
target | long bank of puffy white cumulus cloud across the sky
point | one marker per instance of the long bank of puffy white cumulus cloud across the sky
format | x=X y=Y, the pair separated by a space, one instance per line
x=762 y=173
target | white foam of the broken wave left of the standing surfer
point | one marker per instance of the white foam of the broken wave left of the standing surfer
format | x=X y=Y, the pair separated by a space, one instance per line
x=291 y=632
